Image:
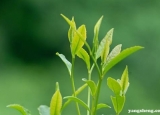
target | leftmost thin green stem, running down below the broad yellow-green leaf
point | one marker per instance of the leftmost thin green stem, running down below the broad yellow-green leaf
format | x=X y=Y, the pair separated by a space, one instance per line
x=73 y=85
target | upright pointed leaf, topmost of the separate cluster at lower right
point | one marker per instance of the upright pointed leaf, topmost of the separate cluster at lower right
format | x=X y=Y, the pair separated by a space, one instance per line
x=124 y=82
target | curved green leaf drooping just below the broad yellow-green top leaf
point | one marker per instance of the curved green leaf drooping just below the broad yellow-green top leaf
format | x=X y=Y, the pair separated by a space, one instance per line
x=84 y=55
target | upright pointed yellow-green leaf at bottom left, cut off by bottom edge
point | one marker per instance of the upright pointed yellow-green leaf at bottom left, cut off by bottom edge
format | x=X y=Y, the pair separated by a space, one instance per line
x=56 y=102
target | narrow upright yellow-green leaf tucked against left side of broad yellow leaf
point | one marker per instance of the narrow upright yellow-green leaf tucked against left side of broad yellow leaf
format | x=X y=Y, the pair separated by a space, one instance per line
x=71 y=31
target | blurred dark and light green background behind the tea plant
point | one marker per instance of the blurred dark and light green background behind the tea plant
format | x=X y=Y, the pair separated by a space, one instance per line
x=32 y=31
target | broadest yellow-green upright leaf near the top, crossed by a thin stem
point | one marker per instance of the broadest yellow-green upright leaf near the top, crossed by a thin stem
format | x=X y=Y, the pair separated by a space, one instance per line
x=77 y=42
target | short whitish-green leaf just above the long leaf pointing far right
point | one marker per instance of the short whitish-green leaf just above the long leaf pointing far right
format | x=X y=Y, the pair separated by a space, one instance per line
x=116 y=50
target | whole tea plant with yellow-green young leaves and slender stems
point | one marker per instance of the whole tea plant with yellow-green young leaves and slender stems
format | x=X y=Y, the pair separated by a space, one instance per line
x=77 y=39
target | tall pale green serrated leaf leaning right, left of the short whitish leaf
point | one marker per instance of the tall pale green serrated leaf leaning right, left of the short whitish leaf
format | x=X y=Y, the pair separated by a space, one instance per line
x=107 y=40
